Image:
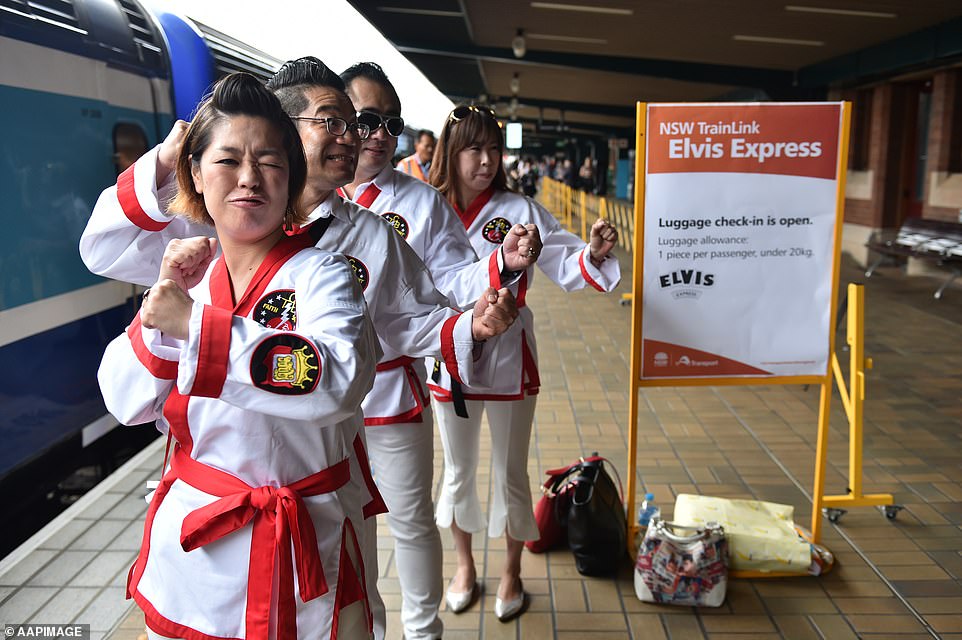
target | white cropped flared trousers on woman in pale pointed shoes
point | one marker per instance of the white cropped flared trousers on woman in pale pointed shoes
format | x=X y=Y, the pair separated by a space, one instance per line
x=510 y=509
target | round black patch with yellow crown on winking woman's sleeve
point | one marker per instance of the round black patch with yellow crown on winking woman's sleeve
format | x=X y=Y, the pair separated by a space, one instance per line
x=286 y=364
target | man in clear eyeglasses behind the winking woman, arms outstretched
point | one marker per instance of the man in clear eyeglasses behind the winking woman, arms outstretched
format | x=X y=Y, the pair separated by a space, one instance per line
x=129 y=230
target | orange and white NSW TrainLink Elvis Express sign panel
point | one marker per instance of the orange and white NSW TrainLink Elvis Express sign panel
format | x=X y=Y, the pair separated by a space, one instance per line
x=740 y=213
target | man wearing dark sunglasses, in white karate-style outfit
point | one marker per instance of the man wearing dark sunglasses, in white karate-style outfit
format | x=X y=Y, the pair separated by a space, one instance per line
x=402 y=451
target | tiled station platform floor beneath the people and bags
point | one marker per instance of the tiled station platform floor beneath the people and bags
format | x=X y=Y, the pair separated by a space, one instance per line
x=893 y=579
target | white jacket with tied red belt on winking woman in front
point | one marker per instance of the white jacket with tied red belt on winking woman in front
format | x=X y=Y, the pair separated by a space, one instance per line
x=263 y=399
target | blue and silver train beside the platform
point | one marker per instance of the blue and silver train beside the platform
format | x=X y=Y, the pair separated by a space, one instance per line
x=86 y=86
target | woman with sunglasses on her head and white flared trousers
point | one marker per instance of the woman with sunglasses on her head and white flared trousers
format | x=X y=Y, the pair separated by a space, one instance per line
x=468 y=170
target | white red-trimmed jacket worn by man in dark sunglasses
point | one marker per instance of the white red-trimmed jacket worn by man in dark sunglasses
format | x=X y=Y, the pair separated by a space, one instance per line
x=430 y=226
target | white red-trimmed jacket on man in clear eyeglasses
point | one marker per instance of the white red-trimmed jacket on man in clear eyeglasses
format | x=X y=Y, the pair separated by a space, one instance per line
x=128 y=231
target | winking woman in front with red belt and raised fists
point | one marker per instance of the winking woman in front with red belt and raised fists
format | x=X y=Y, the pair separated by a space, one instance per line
x=256 y=363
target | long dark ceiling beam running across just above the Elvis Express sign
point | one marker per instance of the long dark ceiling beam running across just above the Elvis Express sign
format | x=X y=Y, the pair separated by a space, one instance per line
x=671 y=69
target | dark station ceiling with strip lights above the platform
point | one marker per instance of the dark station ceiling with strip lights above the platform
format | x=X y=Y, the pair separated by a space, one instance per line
x=587 y=62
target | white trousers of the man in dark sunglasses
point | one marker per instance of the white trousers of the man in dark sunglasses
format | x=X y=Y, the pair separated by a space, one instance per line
x=402 y=457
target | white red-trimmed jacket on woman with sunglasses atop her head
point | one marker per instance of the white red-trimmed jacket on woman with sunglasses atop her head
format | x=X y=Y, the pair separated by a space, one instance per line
x=564 y=259
